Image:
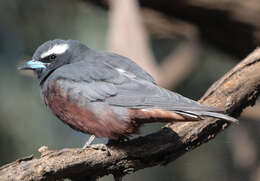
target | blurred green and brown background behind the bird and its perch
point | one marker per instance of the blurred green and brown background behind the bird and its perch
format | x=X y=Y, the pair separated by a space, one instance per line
x=185 y=45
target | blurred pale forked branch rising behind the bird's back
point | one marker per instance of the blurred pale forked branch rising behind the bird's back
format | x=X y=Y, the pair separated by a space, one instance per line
x=128 y=36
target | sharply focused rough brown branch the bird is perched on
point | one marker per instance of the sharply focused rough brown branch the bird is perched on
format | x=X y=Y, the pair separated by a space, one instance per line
x=233 y=92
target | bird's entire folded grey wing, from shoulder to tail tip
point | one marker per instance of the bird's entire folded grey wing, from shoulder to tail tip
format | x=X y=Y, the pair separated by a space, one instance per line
x=103 y=83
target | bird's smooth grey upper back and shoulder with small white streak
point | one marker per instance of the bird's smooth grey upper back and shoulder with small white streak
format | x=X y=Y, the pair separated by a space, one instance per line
x=104 y=66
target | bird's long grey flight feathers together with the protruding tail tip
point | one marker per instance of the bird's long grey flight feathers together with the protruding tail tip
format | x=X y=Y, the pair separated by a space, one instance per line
x=145 y=95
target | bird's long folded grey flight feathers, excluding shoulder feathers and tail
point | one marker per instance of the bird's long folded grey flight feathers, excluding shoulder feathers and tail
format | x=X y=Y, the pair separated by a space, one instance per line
x=142 y=94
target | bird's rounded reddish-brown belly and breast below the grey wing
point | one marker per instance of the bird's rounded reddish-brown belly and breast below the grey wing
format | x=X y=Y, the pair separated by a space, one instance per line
x=92 y=118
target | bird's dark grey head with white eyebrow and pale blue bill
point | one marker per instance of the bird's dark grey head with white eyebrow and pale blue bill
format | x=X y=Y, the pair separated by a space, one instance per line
x=52 y=55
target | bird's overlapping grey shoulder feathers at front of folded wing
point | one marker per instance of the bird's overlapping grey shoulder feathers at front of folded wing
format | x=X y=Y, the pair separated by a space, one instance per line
x=91 y=82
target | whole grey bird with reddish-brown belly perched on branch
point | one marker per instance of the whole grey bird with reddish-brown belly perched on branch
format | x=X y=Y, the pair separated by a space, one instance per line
x=105 y=94
